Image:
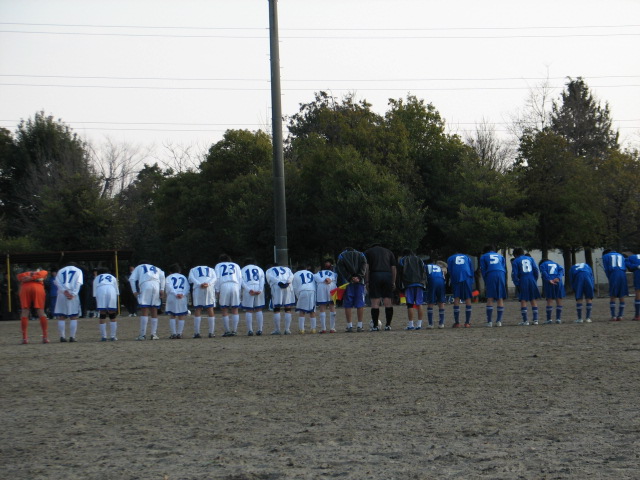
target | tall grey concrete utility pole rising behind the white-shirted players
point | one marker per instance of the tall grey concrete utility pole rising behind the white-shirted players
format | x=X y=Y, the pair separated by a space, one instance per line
x=279 y=200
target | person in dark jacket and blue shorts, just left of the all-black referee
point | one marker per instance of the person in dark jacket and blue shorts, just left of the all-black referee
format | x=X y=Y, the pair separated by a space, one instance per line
x=352 y=268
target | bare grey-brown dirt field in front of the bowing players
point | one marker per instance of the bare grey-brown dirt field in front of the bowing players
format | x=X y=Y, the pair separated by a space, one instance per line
x=556 y=401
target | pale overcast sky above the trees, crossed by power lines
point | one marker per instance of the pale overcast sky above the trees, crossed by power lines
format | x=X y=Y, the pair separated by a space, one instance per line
x=152 y=71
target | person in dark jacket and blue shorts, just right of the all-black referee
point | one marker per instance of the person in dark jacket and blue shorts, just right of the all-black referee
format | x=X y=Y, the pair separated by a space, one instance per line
x=413 y=279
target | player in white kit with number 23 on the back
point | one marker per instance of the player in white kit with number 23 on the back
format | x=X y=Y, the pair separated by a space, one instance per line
x=229 y=285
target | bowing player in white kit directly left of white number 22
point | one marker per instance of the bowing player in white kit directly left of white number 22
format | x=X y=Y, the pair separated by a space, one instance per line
x=147 y=284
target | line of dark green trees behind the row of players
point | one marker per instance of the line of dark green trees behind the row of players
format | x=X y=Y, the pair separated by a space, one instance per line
x=353 y=177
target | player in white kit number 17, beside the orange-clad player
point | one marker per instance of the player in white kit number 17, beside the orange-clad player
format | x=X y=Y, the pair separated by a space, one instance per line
x=69 y=280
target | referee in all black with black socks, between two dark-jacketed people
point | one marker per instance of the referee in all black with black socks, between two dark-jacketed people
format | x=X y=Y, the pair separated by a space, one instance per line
x=381 y=282
